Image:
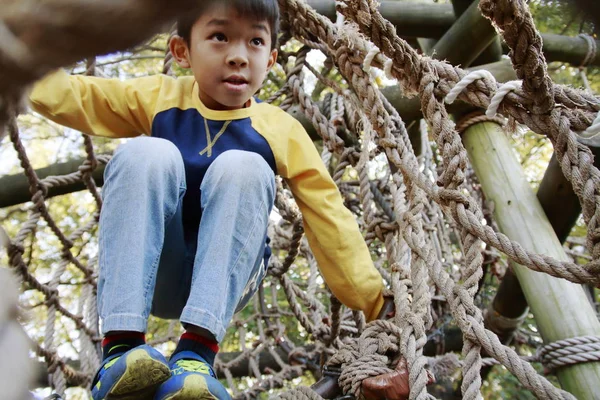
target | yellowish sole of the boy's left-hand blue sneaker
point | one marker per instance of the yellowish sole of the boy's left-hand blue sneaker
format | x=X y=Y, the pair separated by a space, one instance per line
x=141 y=378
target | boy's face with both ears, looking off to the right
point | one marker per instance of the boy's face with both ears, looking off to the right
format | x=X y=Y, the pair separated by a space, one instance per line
x=229 y=55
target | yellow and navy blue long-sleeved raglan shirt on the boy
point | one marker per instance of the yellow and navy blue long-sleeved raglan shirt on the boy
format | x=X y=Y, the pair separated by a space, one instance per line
x=170 y=108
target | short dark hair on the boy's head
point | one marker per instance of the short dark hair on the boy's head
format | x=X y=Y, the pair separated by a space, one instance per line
x=259 y=9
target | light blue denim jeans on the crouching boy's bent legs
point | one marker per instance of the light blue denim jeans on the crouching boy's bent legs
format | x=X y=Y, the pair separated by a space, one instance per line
x=146 y=263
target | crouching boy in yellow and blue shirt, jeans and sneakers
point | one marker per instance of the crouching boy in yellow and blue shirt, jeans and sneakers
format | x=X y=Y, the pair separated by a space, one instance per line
x=184 y=220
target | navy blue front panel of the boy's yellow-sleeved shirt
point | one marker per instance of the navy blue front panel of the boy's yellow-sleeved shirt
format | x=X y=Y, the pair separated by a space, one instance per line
x=186 y=129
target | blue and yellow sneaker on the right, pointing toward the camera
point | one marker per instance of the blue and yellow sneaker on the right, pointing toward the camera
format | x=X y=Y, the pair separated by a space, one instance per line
x=191 y=378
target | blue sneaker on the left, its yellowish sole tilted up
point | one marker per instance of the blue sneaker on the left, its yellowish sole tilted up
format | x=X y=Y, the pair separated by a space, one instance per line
x=132 y=375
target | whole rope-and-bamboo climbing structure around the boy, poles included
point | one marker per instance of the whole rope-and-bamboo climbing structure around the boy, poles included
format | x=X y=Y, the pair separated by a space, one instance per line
x=412 y=215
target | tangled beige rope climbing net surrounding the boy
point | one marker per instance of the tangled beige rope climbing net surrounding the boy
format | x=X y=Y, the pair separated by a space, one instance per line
x=421 y=215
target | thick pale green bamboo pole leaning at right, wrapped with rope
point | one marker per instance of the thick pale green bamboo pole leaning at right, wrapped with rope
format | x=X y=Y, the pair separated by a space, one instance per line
x=560 y=308
